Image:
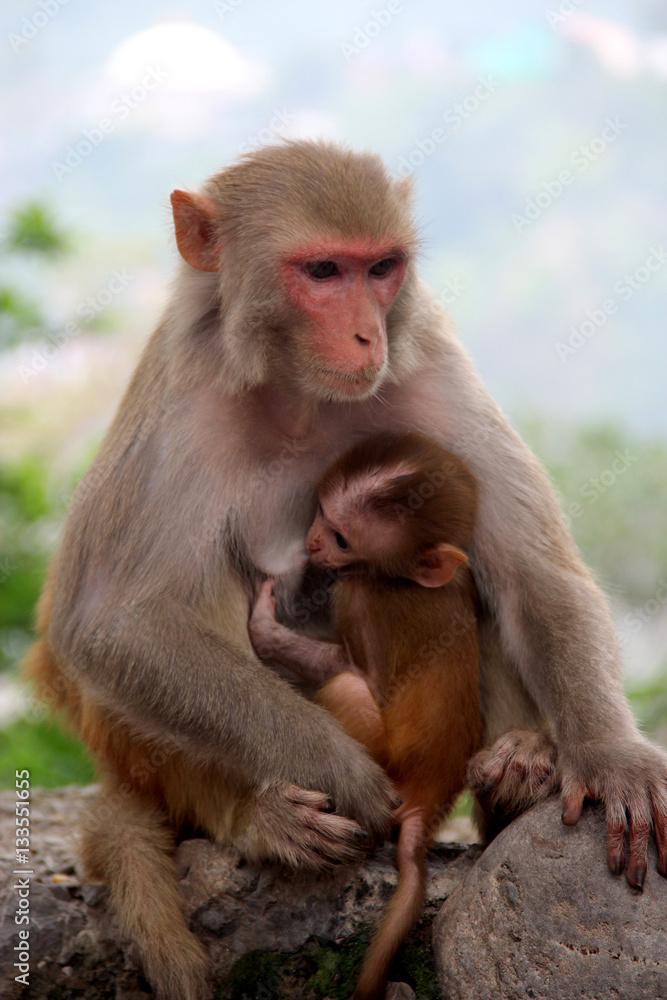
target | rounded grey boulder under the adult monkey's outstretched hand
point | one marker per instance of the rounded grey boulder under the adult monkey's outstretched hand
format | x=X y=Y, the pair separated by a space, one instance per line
x=541 y=916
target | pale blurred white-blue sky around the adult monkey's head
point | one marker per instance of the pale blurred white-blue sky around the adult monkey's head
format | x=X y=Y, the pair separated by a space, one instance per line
x=535 y=133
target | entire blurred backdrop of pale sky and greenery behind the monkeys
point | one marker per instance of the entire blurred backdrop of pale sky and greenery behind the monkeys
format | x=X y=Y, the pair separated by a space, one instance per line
x=535 y=134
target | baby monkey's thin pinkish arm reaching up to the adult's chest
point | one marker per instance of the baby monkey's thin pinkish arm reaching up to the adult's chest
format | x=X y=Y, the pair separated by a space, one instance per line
x=313 y=659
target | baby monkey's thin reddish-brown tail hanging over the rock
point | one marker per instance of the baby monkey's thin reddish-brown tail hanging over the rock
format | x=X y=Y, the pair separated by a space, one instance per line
x=403 y=907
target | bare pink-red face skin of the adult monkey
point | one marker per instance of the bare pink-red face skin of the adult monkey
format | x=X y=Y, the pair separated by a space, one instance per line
x=344 y=291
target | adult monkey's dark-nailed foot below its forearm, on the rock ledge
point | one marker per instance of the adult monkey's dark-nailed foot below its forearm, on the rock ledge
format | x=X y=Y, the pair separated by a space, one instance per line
x=296 y=826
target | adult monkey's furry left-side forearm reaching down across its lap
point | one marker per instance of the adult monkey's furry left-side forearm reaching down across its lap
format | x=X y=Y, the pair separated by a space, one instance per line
x=180 y=684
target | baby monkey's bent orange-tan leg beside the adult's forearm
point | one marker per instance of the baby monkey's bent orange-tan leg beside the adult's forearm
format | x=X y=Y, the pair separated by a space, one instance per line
x=349 y=699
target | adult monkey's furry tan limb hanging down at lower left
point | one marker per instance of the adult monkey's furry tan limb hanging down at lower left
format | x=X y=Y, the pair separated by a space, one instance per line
x=127 y=844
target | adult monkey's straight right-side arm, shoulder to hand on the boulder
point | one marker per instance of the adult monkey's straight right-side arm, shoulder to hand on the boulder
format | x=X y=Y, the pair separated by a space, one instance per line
x=554 y=623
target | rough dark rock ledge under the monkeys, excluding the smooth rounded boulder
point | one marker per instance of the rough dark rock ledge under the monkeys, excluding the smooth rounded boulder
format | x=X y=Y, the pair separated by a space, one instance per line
x=237 y=910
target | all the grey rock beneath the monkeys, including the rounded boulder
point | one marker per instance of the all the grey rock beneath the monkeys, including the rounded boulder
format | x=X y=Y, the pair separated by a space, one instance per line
x=538 y=915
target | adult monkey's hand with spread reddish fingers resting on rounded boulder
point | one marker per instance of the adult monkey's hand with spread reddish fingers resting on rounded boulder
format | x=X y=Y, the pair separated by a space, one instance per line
x=630 y=777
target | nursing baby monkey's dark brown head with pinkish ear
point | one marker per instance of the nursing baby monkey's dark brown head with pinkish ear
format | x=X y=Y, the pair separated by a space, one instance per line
x=395 y=506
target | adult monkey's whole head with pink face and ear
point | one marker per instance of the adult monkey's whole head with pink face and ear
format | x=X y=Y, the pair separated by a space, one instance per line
x=312 y=246
